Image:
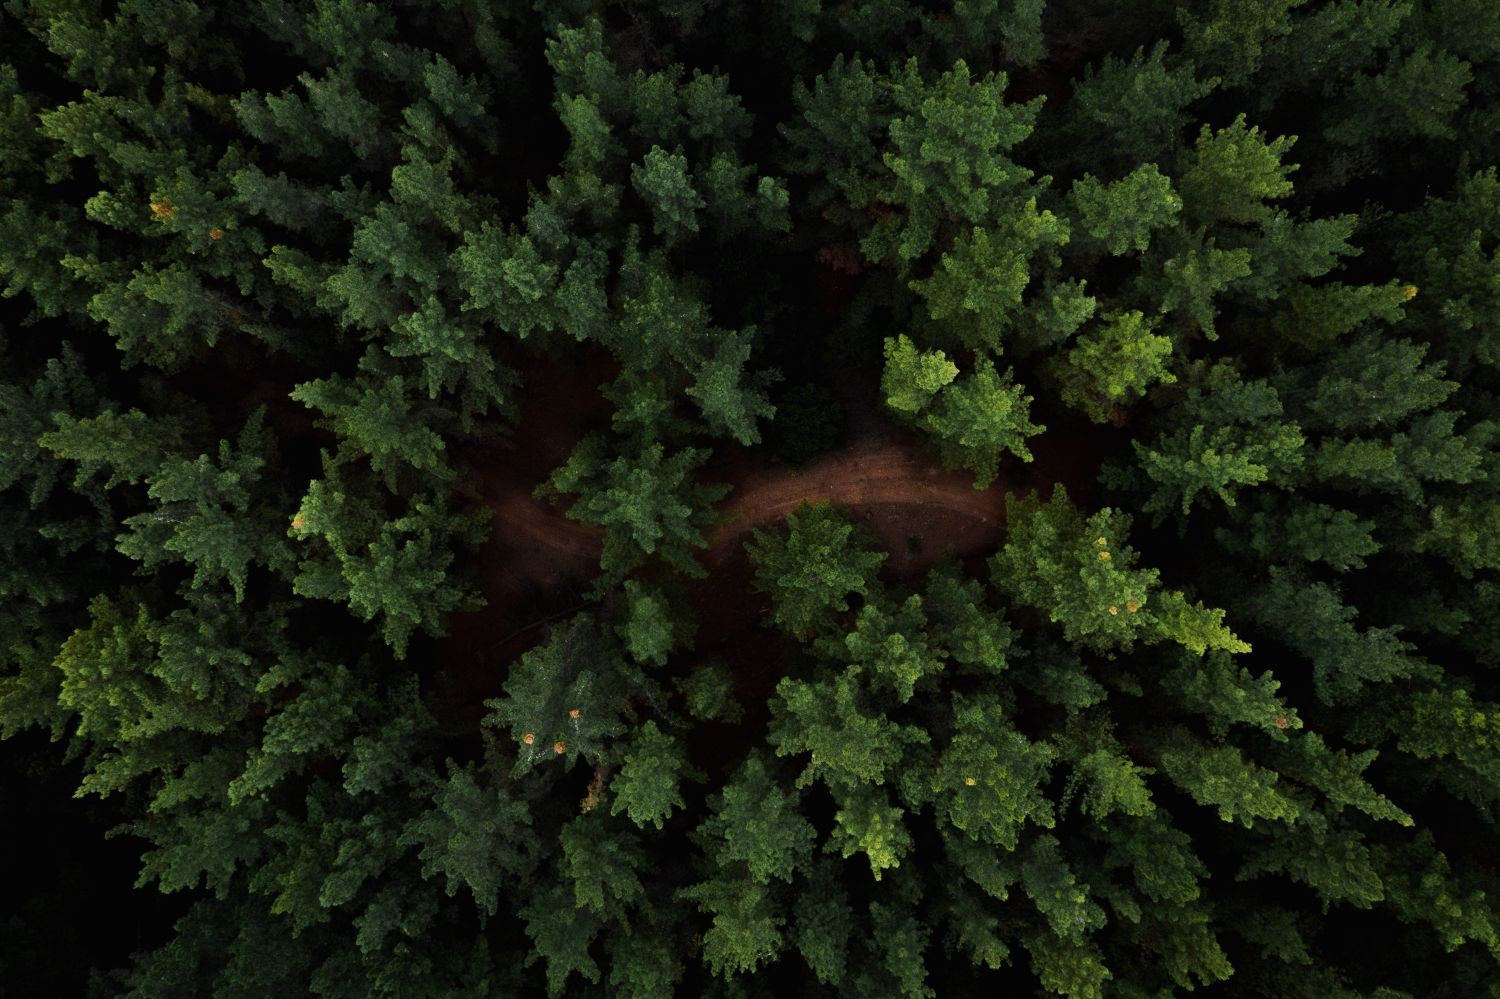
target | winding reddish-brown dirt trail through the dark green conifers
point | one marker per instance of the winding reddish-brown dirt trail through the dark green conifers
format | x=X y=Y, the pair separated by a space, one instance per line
x=538 y=559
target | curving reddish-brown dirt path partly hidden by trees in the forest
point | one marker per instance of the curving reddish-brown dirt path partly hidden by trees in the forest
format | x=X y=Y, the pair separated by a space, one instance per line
x=539 y=563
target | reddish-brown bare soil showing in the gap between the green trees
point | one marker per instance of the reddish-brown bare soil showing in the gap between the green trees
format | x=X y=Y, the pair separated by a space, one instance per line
x=539 y=563
